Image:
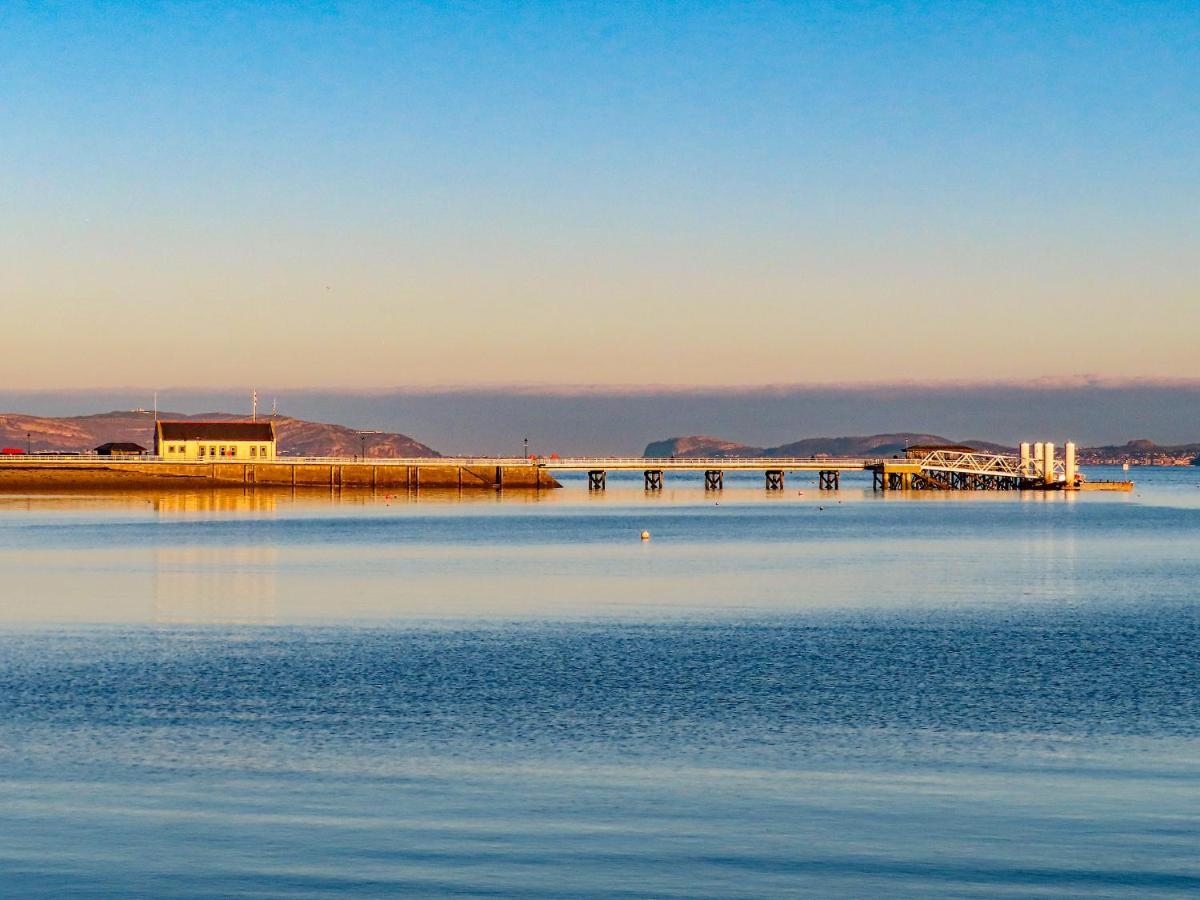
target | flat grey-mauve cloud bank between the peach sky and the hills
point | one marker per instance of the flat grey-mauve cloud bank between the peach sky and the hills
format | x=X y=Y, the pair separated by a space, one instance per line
x=613 y=421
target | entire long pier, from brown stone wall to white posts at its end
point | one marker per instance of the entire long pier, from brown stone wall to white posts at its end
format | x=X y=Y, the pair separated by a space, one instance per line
x=922 y=469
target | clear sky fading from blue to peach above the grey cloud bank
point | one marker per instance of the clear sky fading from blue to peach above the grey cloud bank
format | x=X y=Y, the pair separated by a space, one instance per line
x=343 y=196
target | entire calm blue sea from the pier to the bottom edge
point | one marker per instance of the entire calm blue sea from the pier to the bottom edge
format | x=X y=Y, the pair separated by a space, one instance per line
x=803 y=694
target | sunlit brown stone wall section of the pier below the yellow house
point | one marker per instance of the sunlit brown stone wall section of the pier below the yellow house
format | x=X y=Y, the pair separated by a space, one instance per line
x=34 y=475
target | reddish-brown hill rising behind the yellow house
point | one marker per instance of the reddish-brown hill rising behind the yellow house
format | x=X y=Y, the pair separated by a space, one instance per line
x=297 y=437
